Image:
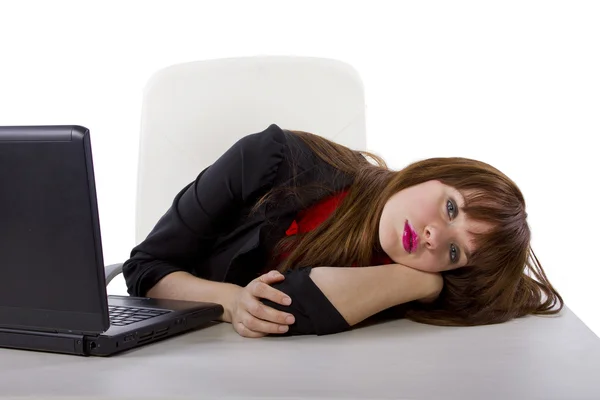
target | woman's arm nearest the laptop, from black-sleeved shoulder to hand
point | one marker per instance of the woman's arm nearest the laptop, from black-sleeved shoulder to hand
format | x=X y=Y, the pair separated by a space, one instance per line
x=166 y=263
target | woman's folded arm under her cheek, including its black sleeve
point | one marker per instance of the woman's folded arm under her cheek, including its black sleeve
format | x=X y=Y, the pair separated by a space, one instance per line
x=328 y=300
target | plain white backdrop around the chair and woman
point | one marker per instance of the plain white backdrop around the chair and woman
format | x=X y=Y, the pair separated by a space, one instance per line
x=513 y=83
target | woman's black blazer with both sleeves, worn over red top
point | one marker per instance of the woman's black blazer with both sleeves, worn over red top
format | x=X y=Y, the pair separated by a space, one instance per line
x=208 y=231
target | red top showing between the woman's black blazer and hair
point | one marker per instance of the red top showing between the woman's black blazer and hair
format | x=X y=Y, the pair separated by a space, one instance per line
x=309 y=219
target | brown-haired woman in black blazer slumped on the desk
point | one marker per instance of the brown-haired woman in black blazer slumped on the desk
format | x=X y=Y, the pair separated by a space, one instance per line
x=344 y=239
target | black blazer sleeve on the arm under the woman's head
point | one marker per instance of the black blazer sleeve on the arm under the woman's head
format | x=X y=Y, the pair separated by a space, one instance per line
x=313 y=312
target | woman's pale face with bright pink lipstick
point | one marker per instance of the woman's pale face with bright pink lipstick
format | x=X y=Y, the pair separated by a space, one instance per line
x=424 y=227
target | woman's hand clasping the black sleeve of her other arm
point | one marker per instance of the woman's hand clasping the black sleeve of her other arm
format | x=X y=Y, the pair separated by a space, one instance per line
x=250 y=317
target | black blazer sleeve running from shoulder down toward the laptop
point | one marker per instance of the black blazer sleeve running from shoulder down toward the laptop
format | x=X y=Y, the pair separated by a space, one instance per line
x=202 y=208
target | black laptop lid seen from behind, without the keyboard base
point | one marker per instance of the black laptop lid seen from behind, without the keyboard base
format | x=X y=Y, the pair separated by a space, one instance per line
x=51 y=264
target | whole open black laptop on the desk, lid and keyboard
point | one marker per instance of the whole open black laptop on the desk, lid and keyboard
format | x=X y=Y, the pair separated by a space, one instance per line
x=52 y=282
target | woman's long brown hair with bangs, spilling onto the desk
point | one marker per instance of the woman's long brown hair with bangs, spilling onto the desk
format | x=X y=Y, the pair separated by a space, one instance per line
x=494 y=287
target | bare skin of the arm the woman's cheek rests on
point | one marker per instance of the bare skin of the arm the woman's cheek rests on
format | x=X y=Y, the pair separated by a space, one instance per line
x=358 y=293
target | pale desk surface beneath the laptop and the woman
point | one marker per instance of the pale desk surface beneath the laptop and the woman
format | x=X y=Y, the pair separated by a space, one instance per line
x=530 y=358
